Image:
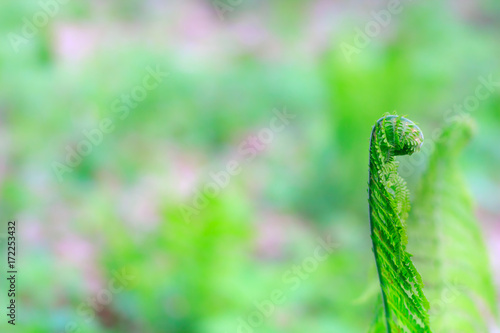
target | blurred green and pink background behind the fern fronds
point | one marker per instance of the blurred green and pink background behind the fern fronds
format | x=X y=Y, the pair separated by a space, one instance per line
x=230 y=69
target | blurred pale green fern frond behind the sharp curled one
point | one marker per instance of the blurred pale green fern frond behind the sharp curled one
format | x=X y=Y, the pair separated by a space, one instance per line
x=448 y=245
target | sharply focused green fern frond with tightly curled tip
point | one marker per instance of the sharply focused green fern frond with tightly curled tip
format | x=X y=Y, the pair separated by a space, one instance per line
x=404 y=304
